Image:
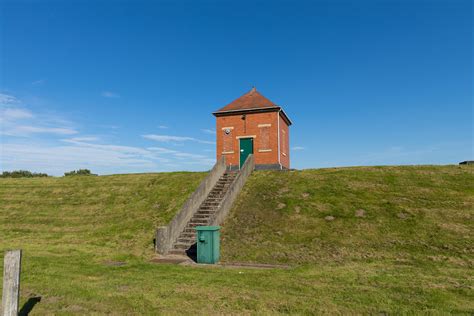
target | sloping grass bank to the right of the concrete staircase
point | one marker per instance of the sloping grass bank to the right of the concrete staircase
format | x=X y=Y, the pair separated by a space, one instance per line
x=354 y=214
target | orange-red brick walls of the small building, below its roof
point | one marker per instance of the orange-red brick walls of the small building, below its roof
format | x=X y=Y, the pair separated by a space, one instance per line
x=262 y=127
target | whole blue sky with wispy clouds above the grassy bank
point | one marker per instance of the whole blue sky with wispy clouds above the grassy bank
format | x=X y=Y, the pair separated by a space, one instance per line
x=129 y=86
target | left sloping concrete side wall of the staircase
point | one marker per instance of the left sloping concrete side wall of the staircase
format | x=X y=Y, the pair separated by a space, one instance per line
x=167 y=235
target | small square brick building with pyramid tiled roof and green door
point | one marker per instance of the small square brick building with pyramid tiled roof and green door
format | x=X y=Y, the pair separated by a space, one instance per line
x=252 y=124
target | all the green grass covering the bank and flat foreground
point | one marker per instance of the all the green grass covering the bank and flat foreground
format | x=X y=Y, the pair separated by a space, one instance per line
x=411 y=252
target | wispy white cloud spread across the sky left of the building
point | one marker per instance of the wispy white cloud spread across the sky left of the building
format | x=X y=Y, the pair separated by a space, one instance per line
x=51 y=152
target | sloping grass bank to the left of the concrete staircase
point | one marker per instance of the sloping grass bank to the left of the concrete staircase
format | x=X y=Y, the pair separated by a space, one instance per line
x=105 y=215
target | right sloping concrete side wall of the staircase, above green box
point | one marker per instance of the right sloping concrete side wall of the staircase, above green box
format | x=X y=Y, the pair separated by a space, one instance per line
x=233 y=191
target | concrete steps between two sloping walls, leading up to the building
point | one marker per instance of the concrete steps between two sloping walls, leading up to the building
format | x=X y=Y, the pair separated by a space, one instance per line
x=203 y=216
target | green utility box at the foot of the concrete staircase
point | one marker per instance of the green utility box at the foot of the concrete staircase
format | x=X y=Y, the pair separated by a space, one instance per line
x=208 y=244
